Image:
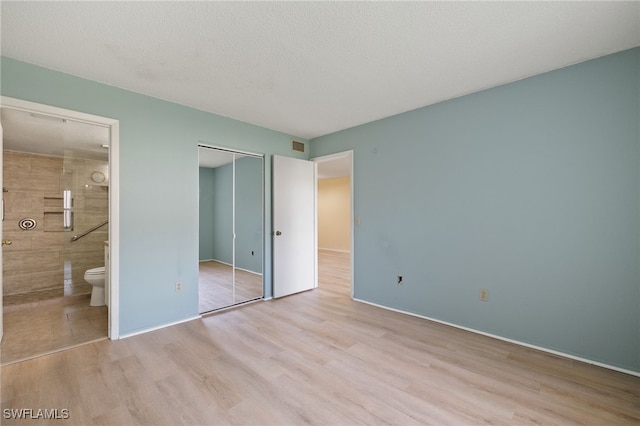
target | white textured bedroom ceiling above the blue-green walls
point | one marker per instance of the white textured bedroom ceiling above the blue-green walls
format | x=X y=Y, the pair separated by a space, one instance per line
x=312 y=68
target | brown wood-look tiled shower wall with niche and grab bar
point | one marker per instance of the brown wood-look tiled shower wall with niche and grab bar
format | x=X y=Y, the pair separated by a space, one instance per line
x=34 y=264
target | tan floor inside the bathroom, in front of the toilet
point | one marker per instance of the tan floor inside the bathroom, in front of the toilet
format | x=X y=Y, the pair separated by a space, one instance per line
x=40 y=328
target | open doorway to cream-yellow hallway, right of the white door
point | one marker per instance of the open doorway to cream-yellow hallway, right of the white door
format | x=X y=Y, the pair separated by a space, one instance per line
x=335 y=221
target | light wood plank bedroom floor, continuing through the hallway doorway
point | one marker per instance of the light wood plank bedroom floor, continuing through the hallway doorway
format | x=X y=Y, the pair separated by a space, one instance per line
x=318 y=357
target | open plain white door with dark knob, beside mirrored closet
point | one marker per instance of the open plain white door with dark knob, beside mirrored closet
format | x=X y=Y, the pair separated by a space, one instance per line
x=294 y=226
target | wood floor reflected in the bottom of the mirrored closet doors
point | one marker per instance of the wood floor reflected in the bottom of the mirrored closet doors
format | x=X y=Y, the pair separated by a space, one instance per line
x=218 y=290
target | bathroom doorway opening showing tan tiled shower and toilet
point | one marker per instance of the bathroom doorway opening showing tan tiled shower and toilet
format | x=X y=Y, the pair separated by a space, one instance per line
x=57 y=189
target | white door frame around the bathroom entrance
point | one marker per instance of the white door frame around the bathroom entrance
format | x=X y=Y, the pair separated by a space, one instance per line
x=114 y=192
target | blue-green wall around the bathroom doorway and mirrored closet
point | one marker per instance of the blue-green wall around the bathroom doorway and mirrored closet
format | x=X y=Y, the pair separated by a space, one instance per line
x=158 y=184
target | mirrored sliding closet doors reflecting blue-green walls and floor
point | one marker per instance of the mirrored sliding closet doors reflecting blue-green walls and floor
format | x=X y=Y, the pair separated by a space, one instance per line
x=231 y=227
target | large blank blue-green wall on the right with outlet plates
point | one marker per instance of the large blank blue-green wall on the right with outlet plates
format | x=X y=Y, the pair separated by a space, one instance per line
x=530 y=190
